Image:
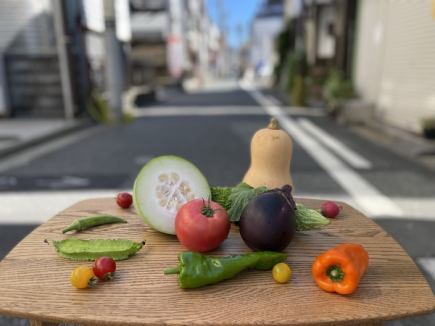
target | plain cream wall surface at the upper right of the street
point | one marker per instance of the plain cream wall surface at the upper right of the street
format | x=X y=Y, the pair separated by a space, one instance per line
x=395 y=60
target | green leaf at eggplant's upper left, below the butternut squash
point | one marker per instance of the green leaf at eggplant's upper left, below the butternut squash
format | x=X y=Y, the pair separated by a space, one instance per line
x=239 y=198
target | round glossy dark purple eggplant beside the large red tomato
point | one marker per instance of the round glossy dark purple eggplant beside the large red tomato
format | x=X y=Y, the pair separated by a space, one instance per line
x=269 y=222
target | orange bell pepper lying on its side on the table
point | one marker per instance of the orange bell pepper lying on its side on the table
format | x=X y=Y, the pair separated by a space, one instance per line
x=340 y=268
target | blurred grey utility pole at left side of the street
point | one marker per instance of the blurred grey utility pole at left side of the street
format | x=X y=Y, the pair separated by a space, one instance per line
x=114 y=72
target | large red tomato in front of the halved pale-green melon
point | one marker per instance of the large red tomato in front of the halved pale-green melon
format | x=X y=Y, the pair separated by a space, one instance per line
x=201 y=225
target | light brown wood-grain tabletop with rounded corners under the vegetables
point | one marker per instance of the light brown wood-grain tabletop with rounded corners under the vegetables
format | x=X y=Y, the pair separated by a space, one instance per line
x=34 y=281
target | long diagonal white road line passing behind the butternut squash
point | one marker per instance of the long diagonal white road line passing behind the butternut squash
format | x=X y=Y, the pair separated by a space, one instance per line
x=367 y=197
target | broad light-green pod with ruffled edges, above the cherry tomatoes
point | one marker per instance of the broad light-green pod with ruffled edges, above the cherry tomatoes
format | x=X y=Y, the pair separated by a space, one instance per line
x=88 y=250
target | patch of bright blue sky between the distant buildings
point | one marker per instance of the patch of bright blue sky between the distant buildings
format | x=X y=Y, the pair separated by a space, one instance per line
x=238 y=12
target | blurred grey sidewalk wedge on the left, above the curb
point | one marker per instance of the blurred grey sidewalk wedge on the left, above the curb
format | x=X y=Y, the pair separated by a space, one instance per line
x=18 y=134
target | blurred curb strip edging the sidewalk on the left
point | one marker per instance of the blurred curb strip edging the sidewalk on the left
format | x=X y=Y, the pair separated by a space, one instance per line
x=21 y=146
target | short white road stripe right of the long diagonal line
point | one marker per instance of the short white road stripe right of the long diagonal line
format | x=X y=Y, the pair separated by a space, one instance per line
x=347 y=154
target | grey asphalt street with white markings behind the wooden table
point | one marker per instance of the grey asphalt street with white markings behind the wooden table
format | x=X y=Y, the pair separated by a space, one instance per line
x=213 y=130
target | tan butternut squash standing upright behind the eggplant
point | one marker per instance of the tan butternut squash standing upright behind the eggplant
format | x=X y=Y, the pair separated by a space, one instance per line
x=271 y=154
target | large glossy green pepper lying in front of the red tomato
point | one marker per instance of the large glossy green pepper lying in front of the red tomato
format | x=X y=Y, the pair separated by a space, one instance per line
x=195 y=270
